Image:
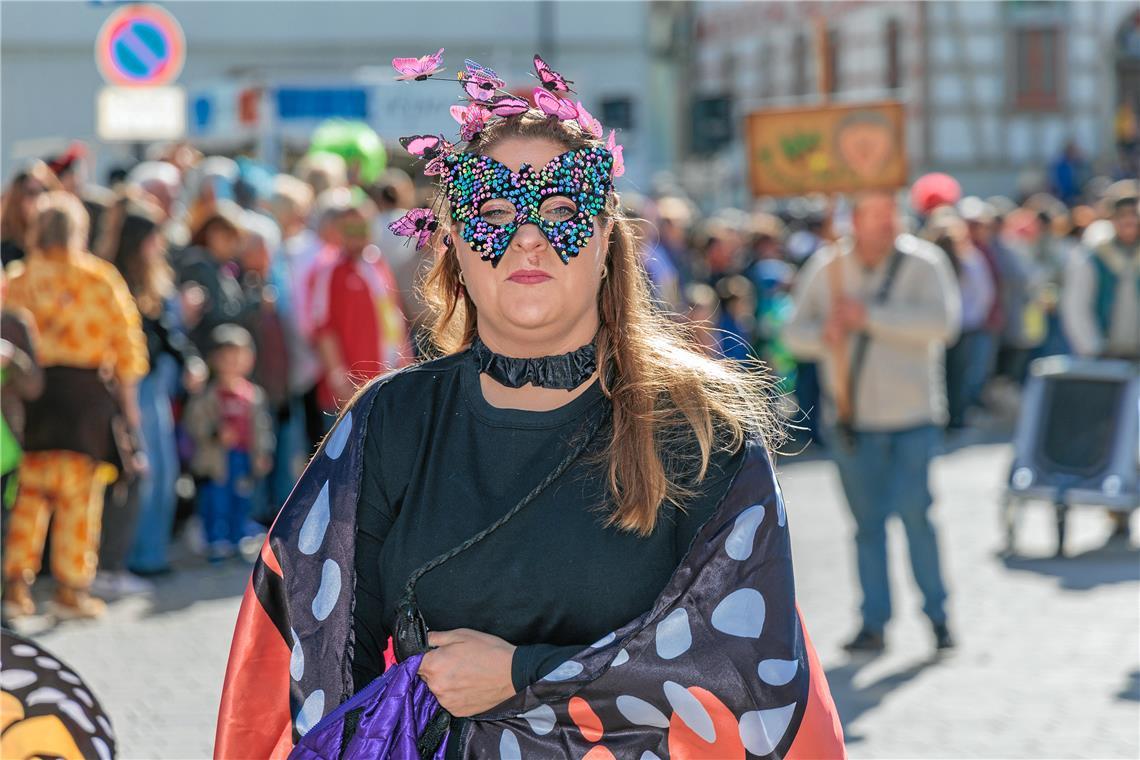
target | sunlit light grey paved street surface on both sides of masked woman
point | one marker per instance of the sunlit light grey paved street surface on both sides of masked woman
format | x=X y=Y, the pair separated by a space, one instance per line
x=1048 y=665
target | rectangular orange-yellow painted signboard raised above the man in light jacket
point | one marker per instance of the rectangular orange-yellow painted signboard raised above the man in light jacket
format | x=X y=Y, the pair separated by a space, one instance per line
x=838 y=149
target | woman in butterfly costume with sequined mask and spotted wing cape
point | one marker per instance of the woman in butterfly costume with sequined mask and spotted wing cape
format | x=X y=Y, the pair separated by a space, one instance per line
x=567 y=525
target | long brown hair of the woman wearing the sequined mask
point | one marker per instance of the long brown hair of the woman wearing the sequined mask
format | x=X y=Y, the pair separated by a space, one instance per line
x=666 y=395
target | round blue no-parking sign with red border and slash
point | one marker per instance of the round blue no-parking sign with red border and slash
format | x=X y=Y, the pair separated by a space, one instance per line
x=141 y=45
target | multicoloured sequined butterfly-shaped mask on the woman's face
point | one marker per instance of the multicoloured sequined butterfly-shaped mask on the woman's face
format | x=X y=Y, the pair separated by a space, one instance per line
x=563 y=200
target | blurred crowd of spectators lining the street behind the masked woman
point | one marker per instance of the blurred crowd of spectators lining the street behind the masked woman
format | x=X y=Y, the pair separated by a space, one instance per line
x=177 y=342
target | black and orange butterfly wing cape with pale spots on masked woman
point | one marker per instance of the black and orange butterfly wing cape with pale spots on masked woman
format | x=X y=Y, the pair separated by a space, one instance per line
x=721 y=667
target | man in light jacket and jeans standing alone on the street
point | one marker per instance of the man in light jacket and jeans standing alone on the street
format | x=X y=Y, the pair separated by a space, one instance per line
x=877 y=314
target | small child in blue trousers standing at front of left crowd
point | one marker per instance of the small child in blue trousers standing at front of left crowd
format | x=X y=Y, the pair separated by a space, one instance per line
x=233 y=442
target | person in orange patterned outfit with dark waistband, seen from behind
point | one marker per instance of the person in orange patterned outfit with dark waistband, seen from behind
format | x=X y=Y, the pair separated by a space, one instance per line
x=94 y=354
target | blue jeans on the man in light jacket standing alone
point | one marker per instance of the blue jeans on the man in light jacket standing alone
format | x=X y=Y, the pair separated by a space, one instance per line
x=886 y=473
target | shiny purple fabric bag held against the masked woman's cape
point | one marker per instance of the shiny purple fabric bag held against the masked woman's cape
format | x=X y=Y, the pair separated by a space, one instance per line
x=397 y=708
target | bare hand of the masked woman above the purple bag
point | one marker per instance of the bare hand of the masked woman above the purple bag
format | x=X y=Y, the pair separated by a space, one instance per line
x=469 y=673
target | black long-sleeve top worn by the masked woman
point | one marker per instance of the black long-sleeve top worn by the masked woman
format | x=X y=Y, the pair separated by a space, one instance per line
x=442 y=464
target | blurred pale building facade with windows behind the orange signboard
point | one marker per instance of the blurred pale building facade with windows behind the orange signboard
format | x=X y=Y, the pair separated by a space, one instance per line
x=994 y=91
